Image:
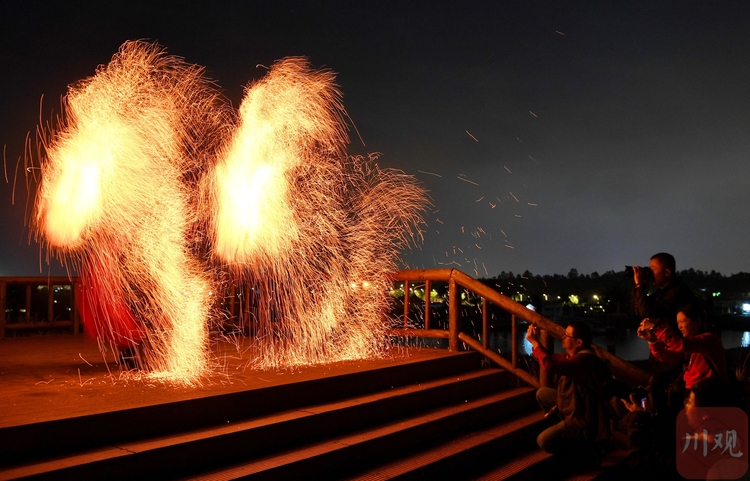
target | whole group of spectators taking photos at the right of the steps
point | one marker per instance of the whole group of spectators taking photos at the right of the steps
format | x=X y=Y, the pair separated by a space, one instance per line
x=688 y=372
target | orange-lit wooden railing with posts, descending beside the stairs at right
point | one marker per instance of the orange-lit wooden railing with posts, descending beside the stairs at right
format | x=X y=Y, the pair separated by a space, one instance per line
x=457 y=280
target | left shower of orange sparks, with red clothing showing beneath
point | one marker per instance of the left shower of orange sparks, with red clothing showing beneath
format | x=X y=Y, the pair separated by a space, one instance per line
x=116 y=198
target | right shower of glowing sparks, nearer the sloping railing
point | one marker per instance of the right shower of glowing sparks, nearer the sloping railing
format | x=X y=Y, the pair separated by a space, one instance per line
x=319 y=239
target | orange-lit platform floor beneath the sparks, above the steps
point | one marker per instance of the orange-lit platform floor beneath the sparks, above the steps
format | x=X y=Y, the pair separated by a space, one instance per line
x=52 y=377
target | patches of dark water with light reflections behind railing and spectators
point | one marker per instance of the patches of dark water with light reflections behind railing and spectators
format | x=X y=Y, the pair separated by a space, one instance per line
x=624 y=343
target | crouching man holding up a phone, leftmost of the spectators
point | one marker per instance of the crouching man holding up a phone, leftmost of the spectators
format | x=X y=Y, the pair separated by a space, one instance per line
x=578 y=398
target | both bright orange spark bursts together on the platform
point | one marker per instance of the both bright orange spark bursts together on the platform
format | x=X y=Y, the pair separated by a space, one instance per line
x=155 y=189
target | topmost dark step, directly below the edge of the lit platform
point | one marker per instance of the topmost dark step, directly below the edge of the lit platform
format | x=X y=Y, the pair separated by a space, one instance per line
x=56 y=438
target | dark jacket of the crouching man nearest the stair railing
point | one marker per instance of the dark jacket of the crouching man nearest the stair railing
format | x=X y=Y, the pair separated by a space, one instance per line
x=580 y=391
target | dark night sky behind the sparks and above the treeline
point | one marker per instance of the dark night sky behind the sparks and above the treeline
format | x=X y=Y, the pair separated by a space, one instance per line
x=602 y=132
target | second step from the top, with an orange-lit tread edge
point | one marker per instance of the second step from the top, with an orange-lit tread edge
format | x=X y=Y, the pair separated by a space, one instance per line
x=232 y=441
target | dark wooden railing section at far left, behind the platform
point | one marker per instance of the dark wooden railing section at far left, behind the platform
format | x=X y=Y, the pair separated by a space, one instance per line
x=30 y=307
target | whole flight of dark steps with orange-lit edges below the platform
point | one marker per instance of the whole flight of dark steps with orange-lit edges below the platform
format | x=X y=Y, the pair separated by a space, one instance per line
x=446 y=417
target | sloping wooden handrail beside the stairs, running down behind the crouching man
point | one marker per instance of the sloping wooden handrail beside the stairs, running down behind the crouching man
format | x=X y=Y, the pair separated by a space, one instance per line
x=620 y=368
